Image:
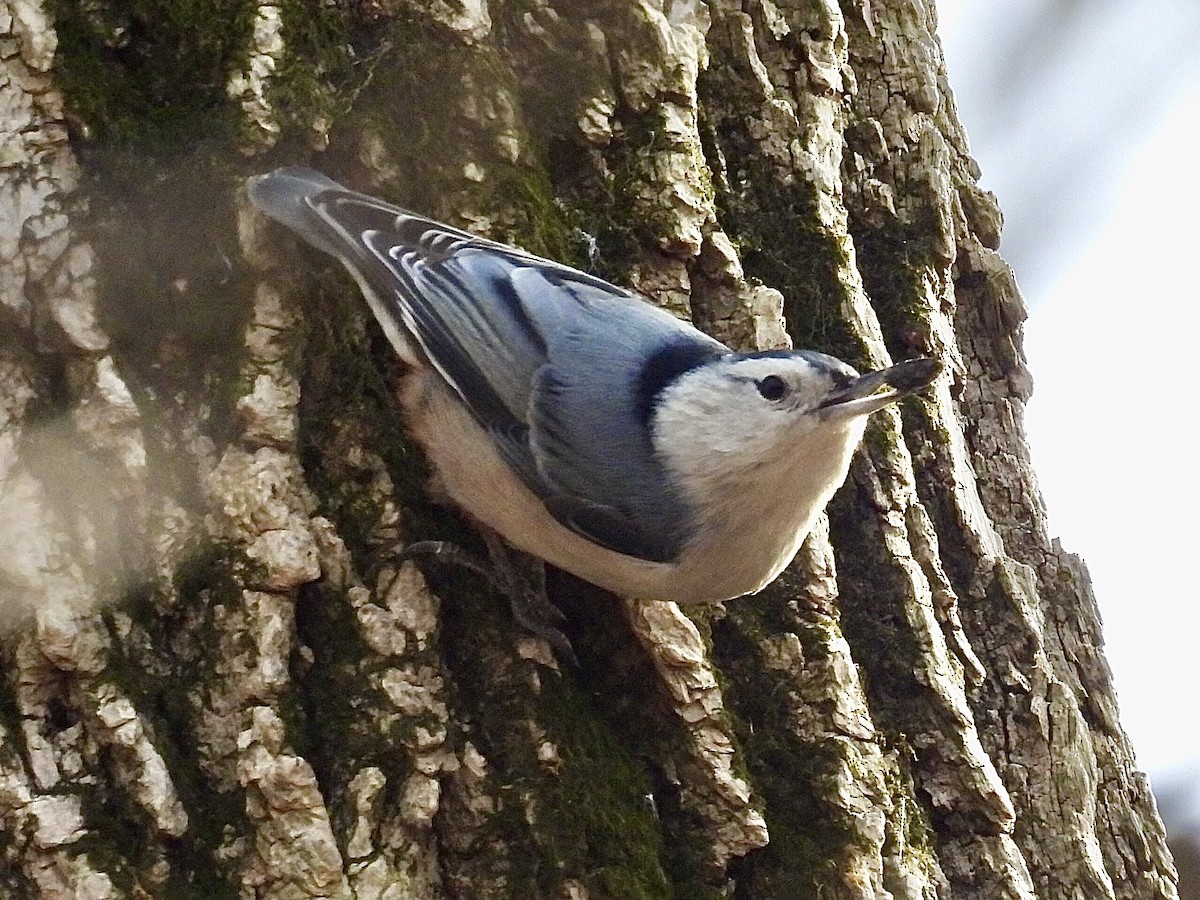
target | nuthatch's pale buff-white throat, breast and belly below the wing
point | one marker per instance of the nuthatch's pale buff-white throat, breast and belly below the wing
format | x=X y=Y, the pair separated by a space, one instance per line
x=757 y=513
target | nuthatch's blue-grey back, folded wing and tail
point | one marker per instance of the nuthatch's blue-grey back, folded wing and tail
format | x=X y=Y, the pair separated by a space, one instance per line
x=559 y=367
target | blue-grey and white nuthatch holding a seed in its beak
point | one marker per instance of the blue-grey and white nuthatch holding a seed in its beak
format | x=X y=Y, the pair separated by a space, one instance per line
x=581 y=423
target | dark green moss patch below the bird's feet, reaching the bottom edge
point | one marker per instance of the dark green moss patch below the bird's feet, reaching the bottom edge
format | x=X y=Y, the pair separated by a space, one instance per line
x=574 y=801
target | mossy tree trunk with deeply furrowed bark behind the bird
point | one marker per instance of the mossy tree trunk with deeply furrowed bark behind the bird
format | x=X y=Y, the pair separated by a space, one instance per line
x=219 y=679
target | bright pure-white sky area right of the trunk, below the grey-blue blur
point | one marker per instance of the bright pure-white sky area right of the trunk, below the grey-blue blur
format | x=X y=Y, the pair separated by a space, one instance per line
x=1115 y=441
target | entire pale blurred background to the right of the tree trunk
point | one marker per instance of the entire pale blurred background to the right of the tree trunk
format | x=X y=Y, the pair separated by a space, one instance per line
x=1085 y=118
